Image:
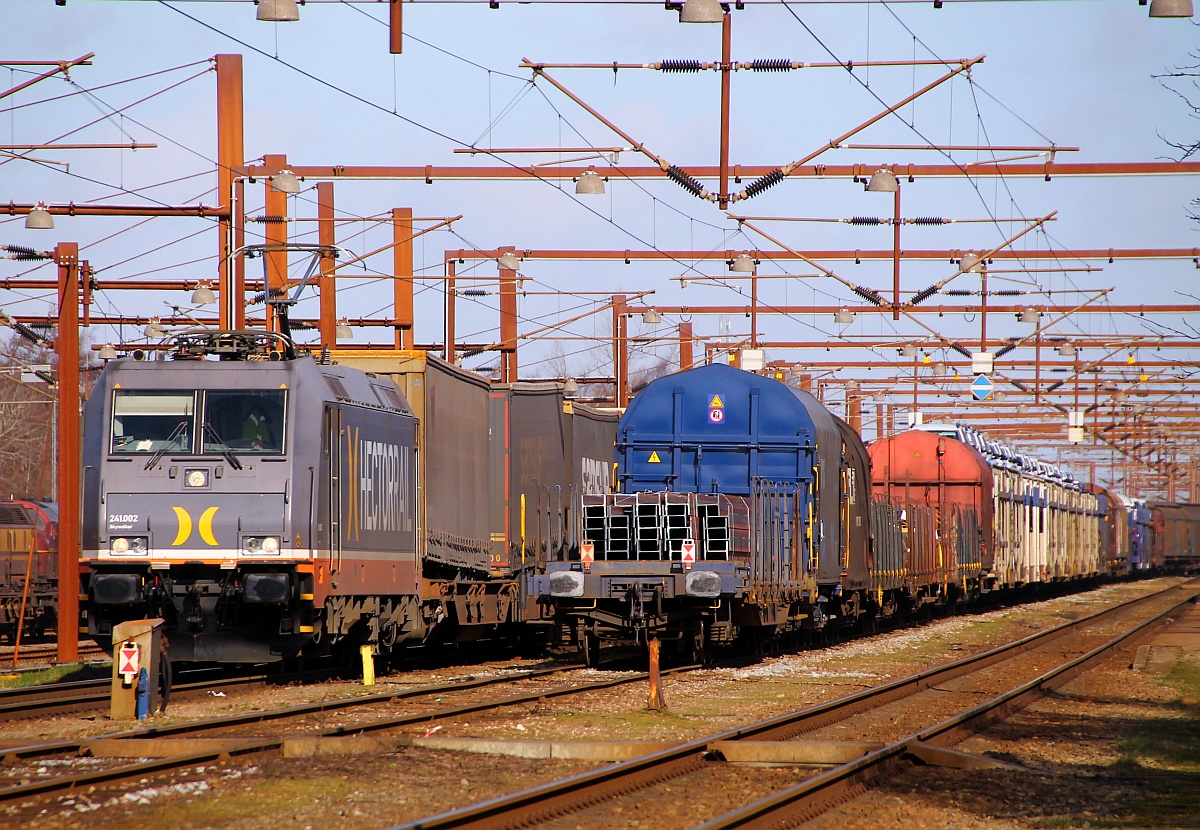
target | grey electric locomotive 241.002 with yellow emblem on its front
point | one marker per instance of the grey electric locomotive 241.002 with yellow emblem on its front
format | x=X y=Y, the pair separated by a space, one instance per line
x=256 y=501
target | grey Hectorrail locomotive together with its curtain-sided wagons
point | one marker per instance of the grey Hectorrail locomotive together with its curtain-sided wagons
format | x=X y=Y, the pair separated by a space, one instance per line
x=269 y=504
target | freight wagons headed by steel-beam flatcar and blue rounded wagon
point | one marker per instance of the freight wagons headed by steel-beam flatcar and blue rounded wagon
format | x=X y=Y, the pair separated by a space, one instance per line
x=746 y=510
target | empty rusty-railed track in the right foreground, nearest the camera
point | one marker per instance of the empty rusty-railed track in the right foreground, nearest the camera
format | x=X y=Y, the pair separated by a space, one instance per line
x=808 y=798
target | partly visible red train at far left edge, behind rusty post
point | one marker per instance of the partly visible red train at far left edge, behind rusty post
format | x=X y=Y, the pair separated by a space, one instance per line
x=29 y=568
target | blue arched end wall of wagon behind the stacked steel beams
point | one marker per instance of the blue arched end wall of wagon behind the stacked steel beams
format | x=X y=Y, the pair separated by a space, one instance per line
x=712 y=430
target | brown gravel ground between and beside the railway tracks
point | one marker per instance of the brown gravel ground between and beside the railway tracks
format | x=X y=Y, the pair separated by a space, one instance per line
x=1117 y=748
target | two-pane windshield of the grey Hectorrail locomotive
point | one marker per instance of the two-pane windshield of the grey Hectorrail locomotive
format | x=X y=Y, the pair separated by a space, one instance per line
x=235 y=422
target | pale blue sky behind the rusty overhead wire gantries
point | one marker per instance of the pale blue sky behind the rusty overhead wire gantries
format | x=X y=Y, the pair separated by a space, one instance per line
x=1073 y=74
